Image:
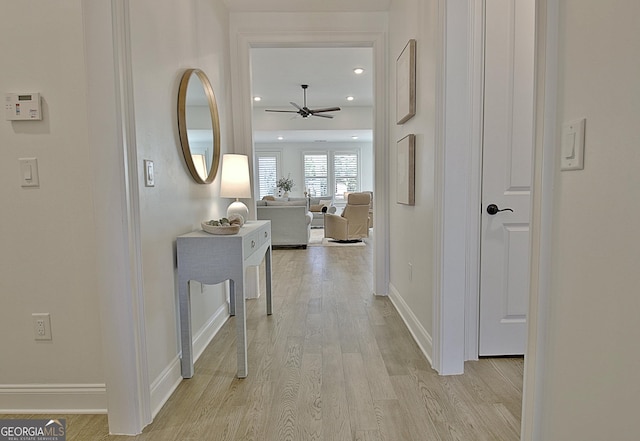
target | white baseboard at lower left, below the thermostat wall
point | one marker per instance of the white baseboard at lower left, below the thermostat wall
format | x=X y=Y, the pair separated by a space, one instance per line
x=53 y=398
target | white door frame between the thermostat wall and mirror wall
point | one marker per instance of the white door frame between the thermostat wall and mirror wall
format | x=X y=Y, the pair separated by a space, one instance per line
x=112 y=143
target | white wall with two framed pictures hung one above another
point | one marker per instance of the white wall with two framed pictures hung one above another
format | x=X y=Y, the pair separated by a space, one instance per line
x=412 y=227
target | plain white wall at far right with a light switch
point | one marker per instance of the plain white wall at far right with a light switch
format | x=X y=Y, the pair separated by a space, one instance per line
x=590 y=383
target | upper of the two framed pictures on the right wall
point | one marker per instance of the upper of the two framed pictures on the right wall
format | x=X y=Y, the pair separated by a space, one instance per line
x=406 y=83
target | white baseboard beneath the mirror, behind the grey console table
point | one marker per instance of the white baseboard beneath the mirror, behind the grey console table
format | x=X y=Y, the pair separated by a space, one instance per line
x=167 y=382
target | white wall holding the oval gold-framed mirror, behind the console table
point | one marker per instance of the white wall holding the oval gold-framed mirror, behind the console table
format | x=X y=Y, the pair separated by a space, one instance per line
x=198 y=38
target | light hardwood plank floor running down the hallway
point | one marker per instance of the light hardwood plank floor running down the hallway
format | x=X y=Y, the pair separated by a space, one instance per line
x=332 y=363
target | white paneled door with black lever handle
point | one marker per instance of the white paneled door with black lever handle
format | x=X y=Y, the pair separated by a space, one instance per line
x=506 y=176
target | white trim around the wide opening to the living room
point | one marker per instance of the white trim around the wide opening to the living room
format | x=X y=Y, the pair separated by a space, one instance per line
x=243 y=133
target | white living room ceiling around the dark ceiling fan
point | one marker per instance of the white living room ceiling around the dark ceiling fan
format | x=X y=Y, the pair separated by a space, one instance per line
x=278 y=73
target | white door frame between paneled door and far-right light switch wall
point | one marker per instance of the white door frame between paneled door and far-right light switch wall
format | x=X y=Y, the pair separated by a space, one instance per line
x=547 y=16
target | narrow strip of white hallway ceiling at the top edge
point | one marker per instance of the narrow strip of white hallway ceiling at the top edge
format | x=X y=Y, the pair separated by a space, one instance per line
x=307 y=5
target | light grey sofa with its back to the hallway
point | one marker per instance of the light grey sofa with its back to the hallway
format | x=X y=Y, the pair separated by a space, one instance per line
x=290 y=221
